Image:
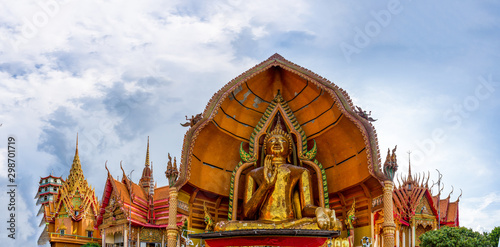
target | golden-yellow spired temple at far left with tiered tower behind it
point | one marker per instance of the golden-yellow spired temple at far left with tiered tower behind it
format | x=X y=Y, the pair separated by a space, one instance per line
x=69 y=209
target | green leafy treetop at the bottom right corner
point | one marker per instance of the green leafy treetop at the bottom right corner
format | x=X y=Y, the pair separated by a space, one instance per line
x=454 y=237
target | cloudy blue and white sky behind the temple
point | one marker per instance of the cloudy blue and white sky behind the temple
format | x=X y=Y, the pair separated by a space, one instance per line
x=117 y=72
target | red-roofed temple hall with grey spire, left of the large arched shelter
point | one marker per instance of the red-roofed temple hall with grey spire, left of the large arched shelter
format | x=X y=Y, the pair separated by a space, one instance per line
x=135 y=214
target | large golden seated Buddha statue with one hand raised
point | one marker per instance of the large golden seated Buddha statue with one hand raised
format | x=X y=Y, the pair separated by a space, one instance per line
x=279 y=195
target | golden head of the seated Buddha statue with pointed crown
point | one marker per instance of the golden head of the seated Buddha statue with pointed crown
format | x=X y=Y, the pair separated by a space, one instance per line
x=278 y=142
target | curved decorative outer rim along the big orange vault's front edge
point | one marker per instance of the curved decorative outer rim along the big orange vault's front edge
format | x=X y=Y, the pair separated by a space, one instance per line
x=342 y=100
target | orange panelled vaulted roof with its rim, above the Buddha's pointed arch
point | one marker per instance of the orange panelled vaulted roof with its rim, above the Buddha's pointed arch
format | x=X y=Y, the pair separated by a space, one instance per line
x=346 y=142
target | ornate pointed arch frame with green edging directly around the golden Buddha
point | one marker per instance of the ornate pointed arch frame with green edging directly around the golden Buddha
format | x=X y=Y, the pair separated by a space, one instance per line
x=278 y=107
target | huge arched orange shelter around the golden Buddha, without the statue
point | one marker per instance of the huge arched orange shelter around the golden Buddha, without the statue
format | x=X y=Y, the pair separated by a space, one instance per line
x=331 y=138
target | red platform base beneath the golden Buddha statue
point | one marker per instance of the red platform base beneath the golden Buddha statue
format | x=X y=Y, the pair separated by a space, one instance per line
x=267 y=237
